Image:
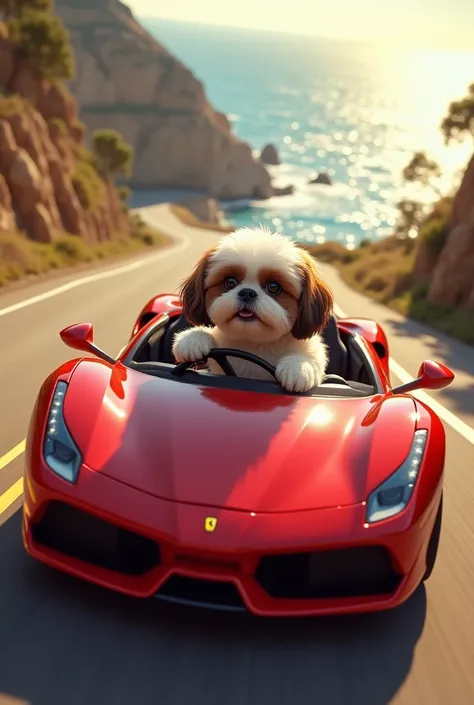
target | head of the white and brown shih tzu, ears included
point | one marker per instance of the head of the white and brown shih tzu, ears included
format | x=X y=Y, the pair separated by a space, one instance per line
x=257 y=286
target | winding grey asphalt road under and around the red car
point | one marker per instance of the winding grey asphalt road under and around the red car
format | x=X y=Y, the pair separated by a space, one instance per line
x=66 y=642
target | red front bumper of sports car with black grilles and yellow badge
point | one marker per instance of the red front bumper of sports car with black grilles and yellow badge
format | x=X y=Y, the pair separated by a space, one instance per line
x=304 y=563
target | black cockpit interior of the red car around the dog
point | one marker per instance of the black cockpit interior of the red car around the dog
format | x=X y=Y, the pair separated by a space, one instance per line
x=349 y=372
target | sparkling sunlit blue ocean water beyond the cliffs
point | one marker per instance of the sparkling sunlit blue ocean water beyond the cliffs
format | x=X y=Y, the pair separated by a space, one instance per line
x=356 y=111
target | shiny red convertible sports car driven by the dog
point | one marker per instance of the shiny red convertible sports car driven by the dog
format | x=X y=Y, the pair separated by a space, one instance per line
x=157 y=479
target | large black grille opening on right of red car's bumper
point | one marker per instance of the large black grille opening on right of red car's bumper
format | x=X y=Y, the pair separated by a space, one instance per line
x=349 y=572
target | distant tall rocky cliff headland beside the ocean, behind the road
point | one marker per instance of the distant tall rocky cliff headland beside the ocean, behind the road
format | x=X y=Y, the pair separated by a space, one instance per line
x=127 y=81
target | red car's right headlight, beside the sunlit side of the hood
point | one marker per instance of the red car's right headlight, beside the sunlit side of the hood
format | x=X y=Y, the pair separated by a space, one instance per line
x=393 y=495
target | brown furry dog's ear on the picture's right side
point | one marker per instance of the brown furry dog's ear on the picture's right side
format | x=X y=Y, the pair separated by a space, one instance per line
x=316 y=301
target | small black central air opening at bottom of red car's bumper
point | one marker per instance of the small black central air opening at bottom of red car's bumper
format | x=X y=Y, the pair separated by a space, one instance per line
x=203 y=593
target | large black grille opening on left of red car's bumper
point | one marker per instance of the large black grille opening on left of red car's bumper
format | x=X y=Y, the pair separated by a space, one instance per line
x=80 y=535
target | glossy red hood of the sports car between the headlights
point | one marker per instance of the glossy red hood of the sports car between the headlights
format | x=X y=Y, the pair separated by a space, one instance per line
x=241 y=450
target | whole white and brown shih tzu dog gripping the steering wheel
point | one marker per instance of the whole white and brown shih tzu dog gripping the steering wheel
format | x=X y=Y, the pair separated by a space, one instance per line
x=259 y=292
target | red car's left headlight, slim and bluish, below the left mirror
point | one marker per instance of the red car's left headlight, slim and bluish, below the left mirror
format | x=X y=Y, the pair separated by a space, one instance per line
x=60 y=452
